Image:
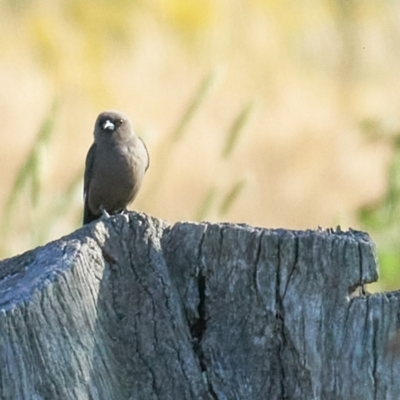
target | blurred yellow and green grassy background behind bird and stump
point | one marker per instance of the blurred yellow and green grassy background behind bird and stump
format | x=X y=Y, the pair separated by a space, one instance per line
x=274 y=113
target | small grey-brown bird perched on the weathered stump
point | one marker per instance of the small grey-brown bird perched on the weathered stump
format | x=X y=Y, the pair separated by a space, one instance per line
x=115 y=166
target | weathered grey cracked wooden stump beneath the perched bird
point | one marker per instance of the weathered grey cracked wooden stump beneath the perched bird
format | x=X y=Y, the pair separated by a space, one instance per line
x=132 y=308
